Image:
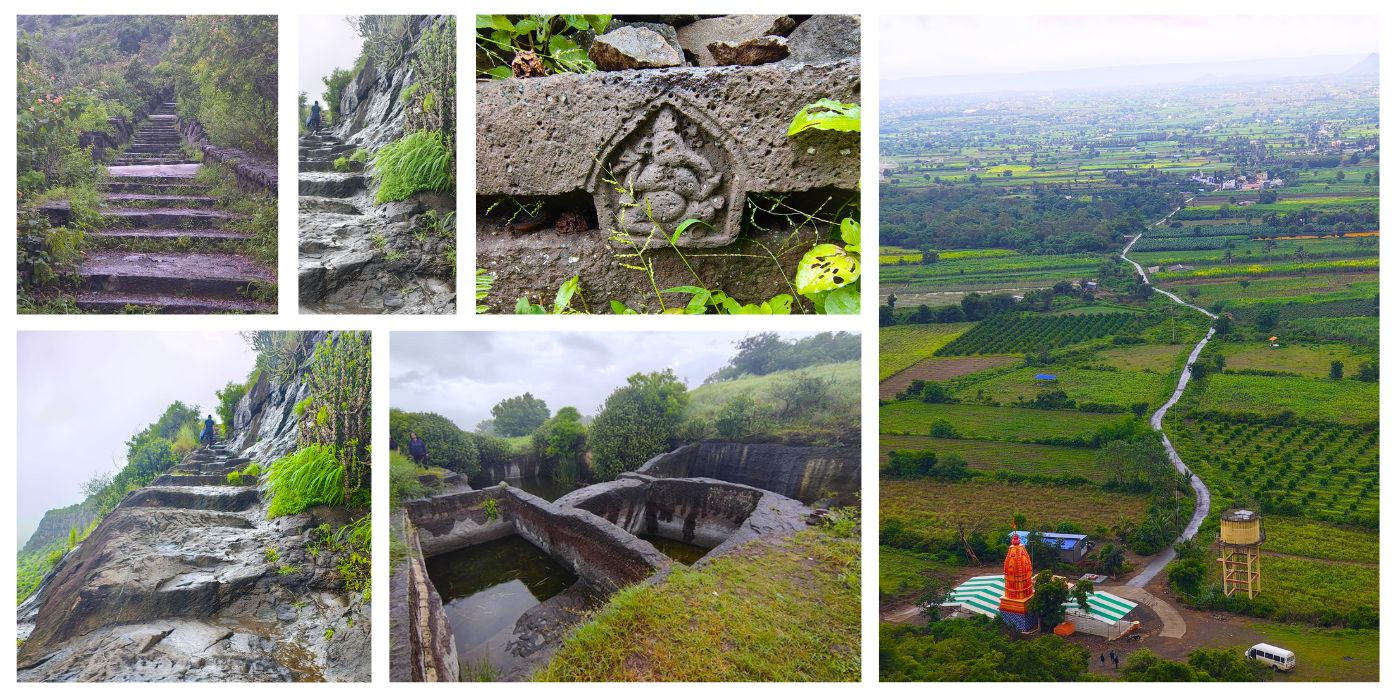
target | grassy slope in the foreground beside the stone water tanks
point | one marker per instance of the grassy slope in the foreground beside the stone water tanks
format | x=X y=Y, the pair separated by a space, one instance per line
x=787 y=612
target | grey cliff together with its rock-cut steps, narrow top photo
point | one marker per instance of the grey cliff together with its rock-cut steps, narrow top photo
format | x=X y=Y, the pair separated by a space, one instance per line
x=358 y=257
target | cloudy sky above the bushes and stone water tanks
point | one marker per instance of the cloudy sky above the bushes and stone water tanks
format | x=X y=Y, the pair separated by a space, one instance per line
x=461 y=376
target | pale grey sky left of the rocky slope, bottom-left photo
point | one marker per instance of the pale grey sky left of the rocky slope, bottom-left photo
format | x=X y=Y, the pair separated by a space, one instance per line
x=83 y=395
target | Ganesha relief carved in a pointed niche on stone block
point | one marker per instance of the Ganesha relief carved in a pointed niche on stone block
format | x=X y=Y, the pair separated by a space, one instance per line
x=667 y=170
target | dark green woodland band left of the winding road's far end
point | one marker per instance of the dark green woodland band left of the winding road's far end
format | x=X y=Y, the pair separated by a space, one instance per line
x=1045 y=223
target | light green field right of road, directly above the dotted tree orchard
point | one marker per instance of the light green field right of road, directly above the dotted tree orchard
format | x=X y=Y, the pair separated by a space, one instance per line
x=1342 y=401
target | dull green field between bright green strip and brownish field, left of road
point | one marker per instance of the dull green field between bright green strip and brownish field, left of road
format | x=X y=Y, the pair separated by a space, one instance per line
x=986 y=456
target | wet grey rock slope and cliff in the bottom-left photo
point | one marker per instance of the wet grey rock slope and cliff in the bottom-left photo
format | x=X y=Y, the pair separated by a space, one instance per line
x=190 y=580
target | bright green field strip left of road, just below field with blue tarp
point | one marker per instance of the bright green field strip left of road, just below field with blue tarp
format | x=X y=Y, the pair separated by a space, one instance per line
x=992 y=422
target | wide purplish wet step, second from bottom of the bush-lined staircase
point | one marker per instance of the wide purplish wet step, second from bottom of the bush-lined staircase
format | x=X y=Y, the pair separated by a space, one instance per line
x=176 y=274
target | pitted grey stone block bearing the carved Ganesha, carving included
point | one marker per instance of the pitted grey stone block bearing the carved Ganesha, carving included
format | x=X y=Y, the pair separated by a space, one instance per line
x=659 y=148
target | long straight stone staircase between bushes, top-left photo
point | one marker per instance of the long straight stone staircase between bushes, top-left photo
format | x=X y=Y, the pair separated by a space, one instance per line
x=153 y=213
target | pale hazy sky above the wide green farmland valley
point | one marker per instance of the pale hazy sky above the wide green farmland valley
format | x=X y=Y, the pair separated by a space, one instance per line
x=933 y=45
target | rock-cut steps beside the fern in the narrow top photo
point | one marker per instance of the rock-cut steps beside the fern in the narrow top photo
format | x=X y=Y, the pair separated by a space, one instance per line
x=358 y=257
